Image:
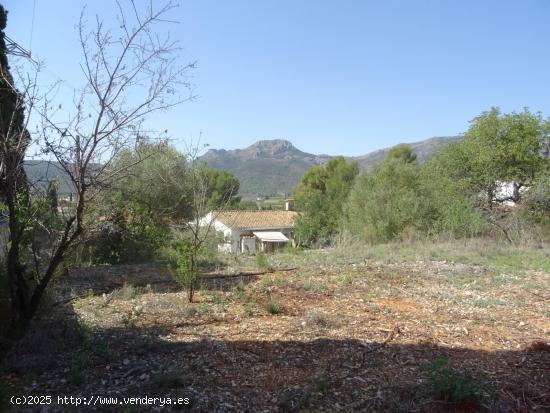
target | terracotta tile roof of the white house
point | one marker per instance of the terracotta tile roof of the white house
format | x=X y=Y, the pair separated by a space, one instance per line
x=257 y=219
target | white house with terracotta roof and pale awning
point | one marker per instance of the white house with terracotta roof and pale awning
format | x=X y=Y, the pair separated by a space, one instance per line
x=251 y=231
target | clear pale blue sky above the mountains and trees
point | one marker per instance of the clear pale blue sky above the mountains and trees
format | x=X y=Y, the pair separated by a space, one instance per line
x=335 y=77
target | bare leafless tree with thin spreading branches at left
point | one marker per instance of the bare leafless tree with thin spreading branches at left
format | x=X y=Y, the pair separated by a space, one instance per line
x=129 y=73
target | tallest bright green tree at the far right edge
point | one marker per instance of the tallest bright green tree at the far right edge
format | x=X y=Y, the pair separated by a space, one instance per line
x=497 y=148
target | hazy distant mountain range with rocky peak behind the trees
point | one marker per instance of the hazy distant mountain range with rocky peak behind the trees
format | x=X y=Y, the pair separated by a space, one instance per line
x=271 y=167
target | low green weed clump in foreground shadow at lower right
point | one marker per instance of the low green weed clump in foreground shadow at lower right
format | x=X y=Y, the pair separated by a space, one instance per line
x=454 y=387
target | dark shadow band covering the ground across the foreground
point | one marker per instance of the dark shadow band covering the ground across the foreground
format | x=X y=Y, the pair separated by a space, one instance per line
x=59 y=357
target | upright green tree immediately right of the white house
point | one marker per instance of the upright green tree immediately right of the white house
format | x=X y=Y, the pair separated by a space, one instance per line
x=320 y=197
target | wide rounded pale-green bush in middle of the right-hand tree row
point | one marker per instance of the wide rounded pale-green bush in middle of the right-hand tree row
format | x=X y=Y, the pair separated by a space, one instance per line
x=399 y=198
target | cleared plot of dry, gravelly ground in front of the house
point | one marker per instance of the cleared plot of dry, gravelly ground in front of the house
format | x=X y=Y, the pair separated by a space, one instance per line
x=348 y=330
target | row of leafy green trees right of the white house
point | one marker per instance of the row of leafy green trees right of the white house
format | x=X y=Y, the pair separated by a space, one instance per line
x=467 y=189
